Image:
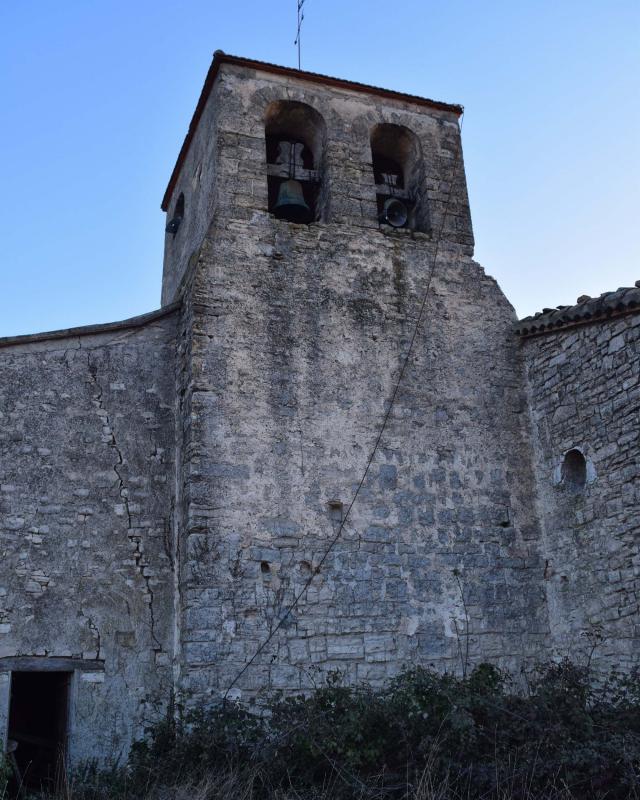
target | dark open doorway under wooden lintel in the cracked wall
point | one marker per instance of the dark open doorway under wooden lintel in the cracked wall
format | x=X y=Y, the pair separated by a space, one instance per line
x=38 y=726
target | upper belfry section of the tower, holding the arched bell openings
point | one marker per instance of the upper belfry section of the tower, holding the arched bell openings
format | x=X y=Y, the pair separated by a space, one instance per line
x=296 y=170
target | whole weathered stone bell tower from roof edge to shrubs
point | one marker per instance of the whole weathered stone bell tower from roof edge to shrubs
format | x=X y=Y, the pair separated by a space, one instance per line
x=306 y=217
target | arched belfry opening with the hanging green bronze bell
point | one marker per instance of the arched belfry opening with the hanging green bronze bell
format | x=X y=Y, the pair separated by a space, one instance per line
x=295 y=139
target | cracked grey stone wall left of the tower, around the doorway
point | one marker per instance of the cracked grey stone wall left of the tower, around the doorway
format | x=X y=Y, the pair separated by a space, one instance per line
x=86 y=497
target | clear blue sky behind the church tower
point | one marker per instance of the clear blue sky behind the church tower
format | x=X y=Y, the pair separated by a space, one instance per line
x=97 y=95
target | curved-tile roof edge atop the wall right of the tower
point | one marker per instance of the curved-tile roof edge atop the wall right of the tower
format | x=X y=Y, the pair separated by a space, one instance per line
x=587 y=309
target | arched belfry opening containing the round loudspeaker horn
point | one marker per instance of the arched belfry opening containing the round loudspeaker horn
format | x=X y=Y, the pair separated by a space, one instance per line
x=398 y=171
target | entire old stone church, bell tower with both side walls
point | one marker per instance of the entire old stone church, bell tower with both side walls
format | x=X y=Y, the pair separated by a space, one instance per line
x=176 y=490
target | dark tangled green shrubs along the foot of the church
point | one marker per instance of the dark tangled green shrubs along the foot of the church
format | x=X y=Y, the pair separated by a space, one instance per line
x=476 y=737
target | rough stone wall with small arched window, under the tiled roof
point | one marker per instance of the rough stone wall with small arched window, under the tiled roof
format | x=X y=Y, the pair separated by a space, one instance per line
x=584 y=384
